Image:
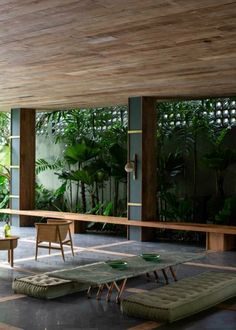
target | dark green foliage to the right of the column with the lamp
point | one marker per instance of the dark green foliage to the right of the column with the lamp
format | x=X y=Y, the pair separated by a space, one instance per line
x=183 y=126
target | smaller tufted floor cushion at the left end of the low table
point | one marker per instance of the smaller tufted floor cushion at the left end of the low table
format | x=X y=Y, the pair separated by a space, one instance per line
x=43 y=286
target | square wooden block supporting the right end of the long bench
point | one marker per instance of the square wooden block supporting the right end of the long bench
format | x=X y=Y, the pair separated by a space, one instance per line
x=220 y=242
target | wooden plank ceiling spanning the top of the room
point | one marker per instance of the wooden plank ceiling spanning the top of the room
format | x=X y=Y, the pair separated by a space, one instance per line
x=69 y=53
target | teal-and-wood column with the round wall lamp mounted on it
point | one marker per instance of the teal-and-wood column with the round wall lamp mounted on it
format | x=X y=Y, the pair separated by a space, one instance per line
x=142 y=147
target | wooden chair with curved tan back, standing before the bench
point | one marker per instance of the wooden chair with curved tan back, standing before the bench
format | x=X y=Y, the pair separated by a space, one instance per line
x=54 y=231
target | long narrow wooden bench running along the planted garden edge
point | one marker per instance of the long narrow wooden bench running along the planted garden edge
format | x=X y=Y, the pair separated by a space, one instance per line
x=218 y=237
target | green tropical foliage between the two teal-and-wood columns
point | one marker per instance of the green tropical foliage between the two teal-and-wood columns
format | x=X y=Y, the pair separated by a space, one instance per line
x=92 y=155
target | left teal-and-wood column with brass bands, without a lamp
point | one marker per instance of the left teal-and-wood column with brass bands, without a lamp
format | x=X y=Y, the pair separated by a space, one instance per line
x=22 y=185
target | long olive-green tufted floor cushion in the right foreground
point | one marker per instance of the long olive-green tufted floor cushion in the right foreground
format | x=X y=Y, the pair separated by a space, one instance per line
x=181 y=299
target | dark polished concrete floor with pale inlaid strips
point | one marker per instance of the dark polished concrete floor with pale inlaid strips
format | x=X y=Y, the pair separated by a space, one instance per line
x=77 y=311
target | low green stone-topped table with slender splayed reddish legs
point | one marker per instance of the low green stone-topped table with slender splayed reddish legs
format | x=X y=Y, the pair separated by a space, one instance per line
x=103 y=276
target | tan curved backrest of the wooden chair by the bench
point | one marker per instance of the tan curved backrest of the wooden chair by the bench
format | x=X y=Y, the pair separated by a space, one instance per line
x=49 y=232
